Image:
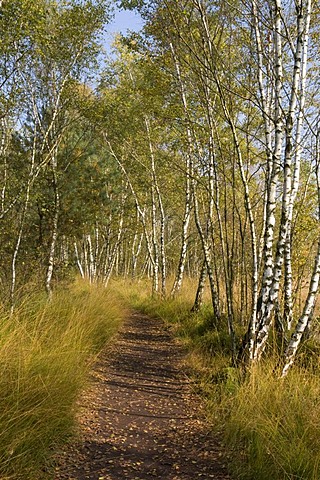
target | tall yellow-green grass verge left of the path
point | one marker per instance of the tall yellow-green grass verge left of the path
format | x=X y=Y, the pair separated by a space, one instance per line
x=45 y=353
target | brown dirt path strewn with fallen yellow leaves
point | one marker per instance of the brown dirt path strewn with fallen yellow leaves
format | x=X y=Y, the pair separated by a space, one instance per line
x=141 y=419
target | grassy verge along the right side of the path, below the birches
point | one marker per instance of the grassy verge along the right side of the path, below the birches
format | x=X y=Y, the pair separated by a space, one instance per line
x=271 y=425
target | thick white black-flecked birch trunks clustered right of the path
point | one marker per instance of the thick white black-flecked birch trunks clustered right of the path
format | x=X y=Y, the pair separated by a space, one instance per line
x=289 y=117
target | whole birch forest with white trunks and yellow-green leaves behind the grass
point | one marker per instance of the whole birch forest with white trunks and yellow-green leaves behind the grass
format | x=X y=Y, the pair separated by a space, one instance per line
x=190 y=154
